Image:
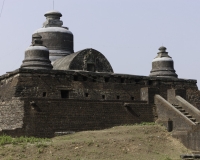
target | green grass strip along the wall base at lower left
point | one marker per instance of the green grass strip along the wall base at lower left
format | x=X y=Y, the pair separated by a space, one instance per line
x=5 y=139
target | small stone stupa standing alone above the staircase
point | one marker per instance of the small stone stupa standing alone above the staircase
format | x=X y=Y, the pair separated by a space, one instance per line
x=163 y=65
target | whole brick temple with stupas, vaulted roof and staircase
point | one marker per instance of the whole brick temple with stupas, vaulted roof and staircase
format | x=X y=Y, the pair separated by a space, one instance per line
x=57 y=90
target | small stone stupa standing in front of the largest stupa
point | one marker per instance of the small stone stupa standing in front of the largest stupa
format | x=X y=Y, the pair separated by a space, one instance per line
x=37 y=55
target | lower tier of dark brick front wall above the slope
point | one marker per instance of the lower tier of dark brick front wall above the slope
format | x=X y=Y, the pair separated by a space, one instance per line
x=49 y=116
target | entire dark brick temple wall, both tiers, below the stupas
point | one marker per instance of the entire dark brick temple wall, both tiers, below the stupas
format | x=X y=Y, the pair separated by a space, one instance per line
x=60 y=101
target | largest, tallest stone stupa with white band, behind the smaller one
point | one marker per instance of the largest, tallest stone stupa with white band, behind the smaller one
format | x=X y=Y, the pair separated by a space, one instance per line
x=58 y=39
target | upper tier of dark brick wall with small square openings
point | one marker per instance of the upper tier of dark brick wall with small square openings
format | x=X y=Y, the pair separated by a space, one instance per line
x=93 y=86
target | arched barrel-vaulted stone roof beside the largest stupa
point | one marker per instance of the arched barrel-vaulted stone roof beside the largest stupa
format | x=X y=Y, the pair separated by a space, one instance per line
x=87 y=60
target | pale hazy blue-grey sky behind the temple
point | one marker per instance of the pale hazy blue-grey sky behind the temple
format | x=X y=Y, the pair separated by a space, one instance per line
x=127 y=32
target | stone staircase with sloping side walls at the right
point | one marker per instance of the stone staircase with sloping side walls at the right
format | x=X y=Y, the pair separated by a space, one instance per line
x=181 y=118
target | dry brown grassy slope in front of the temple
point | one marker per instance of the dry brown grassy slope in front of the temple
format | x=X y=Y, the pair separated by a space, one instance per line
x=137 y=142
